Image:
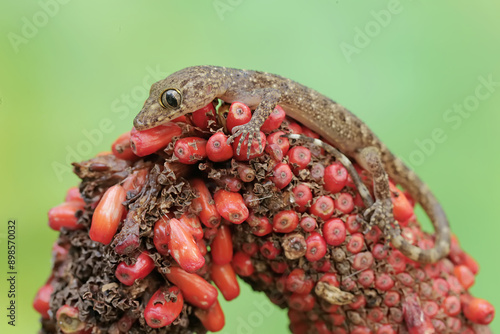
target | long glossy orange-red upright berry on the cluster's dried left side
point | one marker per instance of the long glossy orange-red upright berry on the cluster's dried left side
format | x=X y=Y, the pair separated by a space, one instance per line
x=107 y=215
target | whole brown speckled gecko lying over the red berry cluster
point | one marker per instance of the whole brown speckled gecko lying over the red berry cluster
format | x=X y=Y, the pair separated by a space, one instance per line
x=194 y=87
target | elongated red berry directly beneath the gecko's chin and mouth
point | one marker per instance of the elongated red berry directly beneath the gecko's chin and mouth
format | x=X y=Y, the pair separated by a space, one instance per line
x=151 y=140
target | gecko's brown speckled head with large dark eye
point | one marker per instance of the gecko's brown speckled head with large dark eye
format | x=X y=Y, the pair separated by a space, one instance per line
x=180 y=93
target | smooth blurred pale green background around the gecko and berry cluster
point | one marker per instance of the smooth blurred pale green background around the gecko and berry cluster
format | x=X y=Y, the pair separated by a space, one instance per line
x=90 y=61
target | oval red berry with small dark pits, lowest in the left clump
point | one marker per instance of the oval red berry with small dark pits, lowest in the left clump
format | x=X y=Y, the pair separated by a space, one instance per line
x=163 y=307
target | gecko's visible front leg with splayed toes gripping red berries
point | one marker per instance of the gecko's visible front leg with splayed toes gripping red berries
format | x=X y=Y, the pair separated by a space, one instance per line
x=269 y=98
